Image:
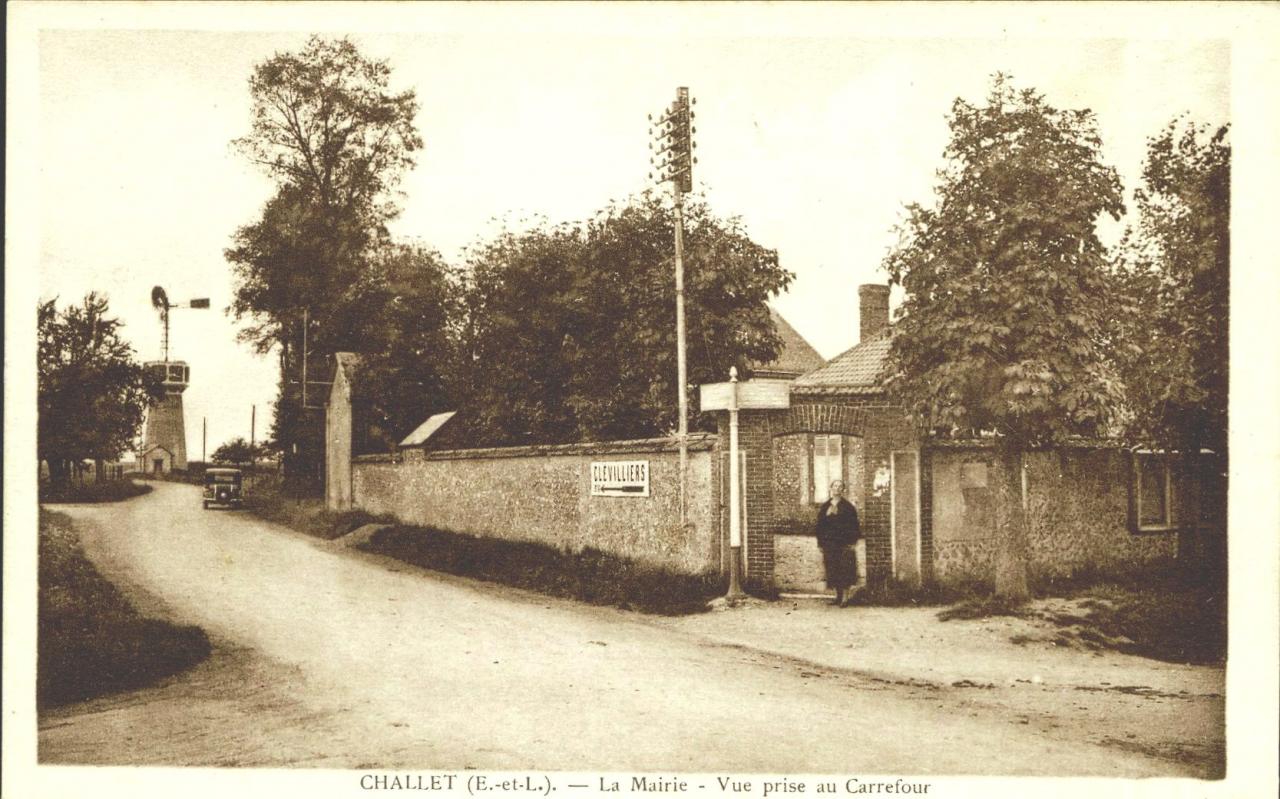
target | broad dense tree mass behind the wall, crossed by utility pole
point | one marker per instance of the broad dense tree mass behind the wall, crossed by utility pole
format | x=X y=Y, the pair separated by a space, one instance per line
x=570 y=331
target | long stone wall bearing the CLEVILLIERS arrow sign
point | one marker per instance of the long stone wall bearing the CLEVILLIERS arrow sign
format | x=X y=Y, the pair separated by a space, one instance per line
x=543 y=495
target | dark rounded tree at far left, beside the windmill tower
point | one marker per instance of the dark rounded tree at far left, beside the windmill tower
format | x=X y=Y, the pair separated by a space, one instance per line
x=92 y=394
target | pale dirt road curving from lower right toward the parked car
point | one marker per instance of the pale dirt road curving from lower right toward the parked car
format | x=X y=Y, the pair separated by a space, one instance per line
x=328 y=658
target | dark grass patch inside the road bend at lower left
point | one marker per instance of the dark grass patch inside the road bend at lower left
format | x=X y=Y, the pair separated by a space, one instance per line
x=92 y=641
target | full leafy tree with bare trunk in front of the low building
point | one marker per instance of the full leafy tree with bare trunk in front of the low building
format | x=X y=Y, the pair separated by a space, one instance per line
x=1004 y=318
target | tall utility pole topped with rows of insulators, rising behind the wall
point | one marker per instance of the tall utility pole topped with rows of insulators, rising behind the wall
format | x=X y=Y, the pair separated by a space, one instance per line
x=674 y=161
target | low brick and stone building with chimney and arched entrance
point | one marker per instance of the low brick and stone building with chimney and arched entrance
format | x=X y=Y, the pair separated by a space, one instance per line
x=927 y=505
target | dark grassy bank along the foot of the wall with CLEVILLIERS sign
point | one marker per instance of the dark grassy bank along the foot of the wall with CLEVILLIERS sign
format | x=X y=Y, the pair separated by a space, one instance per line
x=591 y=576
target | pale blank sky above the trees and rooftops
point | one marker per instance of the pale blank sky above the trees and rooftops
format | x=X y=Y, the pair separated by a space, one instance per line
x=816 y=139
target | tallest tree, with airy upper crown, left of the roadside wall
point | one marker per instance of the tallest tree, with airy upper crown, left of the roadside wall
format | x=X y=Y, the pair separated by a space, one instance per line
x=327 y=127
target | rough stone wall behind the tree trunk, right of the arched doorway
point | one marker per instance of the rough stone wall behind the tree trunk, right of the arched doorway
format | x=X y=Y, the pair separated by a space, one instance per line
x=1078 y=509
